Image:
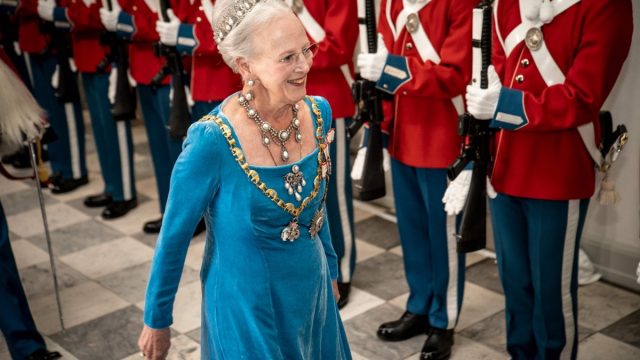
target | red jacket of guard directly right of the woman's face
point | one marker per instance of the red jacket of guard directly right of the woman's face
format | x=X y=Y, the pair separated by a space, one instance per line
x=332 y=71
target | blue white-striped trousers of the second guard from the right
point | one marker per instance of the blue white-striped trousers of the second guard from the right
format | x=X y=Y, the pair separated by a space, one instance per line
x=434 y=271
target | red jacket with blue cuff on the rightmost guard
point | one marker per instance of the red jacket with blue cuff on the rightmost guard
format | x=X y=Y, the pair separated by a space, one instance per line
x=539 y=153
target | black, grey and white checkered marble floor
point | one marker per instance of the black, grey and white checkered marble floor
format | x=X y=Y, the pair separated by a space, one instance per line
x=103 y=267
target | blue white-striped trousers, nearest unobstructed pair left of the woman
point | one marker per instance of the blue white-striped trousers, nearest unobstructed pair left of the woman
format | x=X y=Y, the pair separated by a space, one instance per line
x=113 y=139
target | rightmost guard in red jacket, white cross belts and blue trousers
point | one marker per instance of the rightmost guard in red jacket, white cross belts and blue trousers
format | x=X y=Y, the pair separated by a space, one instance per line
x=555 y=64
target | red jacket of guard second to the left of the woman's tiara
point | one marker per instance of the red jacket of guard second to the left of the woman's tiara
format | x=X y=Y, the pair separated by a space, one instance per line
x=143 y=63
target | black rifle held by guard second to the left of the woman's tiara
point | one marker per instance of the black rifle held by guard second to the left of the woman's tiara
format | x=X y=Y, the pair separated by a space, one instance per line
x=124 y=106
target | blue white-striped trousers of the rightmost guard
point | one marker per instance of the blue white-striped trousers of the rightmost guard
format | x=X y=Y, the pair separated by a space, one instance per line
x=537 y=242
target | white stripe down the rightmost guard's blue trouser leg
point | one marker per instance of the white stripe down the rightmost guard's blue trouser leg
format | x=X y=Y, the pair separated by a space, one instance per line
x=573 y=215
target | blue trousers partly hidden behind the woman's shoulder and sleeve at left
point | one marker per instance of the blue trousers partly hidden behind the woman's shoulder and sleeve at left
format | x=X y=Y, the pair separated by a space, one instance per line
x=154 y=103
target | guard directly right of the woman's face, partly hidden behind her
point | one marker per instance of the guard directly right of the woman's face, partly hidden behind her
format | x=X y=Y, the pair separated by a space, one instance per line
x=332 y=27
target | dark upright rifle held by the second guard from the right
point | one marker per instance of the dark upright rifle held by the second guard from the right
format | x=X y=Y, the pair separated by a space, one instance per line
x=368 y=101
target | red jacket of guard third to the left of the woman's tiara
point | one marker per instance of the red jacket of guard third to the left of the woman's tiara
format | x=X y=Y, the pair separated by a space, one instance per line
x=86 y=29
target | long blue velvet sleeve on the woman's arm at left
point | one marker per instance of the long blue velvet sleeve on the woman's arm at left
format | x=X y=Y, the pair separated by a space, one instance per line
x=193 y=184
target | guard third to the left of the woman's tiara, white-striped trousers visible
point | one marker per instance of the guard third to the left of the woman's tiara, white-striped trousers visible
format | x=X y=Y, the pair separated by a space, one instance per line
x=112 y=138
